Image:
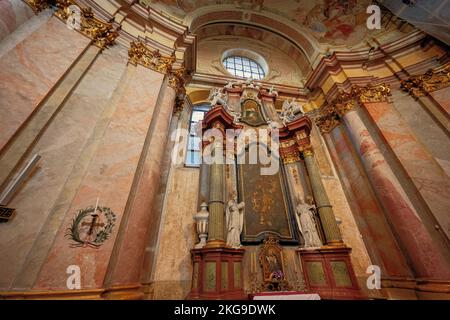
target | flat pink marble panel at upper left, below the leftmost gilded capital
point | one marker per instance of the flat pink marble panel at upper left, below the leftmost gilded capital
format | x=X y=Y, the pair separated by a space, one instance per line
x=30 y=70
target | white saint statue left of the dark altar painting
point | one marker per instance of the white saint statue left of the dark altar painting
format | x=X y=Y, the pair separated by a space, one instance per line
x=234 y=221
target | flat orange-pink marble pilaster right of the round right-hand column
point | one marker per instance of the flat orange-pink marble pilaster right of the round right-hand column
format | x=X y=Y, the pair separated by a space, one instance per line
x=431 y=181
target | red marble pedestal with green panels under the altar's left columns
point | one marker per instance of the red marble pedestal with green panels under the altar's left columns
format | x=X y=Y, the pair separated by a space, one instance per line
x=217 y=274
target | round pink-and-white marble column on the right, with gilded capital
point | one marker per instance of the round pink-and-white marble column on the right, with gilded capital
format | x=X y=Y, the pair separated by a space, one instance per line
x=427 y=261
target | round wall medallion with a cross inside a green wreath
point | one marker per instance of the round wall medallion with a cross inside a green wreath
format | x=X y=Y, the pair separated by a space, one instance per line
x=91 y=227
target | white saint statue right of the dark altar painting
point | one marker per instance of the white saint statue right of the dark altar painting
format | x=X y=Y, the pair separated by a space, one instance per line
x=307 y=224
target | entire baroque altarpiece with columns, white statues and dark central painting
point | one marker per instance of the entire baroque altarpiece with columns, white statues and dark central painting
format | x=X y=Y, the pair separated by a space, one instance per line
x=273 y=202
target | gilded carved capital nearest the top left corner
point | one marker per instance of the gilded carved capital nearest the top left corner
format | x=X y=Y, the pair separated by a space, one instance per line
x=101 y=33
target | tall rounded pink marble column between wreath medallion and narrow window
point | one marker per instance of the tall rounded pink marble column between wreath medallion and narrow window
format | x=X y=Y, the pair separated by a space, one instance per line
x=128 y=267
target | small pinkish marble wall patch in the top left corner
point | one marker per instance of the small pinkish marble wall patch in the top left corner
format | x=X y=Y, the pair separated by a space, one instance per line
x=13 y=13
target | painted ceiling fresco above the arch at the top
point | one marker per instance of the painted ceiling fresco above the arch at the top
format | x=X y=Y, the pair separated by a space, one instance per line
x=333 y=22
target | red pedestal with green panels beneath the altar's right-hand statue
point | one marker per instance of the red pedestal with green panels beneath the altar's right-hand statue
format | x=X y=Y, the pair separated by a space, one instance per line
x=328 y=271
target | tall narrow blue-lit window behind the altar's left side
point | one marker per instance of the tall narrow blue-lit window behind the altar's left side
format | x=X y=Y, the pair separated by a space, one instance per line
x=193 y=156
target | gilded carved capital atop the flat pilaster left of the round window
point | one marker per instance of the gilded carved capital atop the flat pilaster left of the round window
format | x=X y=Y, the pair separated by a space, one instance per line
x=139 y=53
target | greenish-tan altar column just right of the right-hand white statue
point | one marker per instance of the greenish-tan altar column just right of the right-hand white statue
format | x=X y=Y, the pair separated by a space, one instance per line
x=327 y=218
